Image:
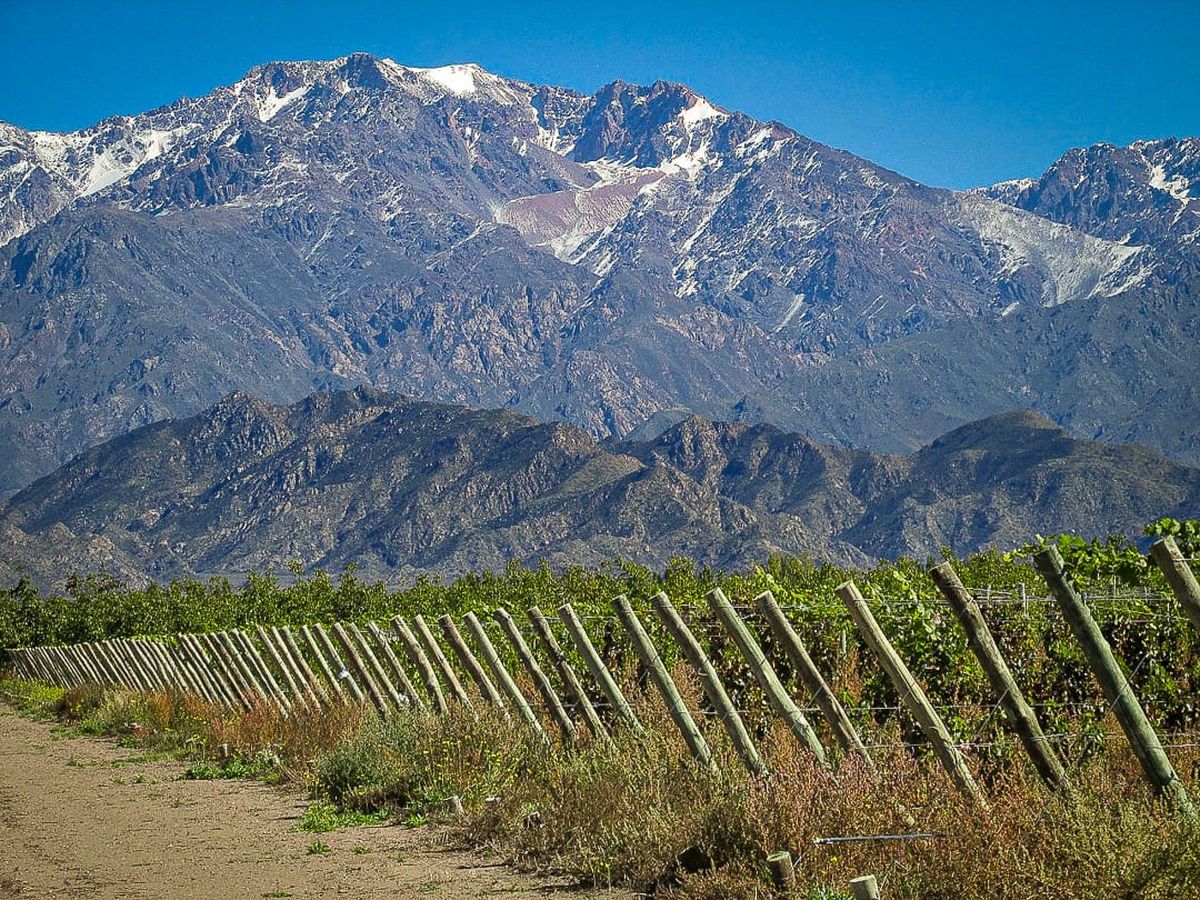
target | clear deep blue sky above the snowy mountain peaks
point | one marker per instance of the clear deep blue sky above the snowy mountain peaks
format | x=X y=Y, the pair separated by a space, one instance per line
x=950 y=94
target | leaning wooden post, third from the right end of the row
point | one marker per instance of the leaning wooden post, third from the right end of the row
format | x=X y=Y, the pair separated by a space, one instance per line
x=983 y=645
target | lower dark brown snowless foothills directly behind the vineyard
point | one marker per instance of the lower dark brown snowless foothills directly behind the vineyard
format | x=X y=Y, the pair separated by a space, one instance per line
x=401 y=487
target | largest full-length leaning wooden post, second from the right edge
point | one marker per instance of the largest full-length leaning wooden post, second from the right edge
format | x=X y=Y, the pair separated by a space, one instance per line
x=1117 y=687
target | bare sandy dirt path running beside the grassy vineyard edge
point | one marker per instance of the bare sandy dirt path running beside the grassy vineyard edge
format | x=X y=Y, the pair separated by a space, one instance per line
x=83 y=818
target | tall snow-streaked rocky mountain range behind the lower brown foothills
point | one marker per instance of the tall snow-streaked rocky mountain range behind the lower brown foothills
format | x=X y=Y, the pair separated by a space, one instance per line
x=617 y=261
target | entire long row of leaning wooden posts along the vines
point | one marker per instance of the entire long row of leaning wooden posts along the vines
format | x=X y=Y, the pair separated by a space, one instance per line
x=313 y=668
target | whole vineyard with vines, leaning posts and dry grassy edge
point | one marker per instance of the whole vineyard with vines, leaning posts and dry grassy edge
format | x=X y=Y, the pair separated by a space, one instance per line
x=1010 y=725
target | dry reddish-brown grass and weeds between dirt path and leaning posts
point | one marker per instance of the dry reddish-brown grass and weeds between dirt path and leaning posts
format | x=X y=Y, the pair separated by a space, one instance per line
x=638 y=812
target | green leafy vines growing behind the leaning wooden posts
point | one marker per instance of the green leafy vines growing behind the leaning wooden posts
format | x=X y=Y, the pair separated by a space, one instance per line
x=1130 y=598
